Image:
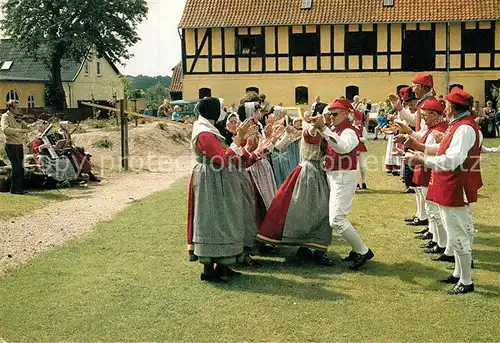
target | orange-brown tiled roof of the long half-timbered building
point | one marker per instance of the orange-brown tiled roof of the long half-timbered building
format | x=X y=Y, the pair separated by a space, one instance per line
x=233 y=13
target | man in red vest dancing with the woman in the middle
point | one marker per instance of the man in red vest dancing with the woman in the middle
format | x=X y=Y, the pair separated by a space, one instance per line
x=341 y=172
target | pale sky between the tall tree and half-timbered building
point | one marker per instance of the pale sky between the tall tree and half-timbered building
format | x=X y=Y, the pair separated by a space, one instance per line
x=160 y=48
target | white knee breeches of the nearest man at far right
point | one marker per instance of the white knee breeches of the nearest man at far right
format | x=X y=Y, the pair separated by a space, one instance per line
x=459 y=227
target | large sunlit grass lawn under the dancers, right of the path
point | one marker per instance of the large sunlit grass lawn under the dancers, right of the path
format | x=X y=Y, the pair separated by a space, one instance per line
x=130 y=280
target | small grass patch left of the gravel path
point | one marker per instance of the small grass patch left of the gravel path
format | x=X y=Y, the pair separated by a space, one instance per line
x=16 y=205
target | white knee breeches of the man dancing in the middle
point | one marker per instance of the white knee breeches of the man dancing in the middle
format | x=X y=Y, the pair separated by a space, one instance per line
x=342 y=185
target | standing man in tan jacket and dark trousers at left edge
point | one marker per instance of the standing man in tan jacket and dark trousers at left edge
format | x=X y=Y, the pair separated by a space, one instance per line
x=15 y=131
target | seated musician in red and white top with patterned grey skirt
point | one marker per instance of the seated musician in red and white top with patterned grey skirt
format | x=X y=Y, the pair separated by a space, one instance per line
x=59 y=167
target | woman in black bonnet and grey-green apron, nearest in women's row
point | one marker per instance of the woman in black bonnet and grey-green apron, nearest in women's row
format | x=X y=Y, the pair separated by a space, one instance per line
x=215 y=210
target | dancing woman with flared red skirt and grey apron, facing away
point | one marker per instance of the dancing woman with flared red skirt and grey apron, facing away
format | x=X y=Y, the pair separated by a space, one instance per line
x=304 y=192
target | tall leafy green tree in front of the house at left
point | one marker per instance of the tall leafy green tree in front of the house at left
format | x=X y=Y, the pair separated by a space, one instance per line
x=55 y=30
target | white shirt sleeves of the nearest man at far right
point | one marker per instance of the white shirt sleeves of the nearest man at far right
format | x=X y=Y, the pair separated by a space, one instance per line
x=463 y=140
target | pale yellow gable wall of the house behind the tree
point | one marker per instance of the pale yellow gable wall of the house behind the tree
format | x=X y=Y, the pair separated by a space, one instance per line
x=97 y=80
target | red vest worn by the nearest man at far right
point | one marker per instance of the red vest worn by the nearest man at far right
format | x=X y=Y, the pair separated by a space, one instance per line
x=458 y=187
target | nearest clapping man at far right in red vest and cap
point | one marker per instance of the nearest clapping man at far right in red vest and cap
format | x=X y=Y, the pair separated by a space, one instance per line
x=455 y=181
